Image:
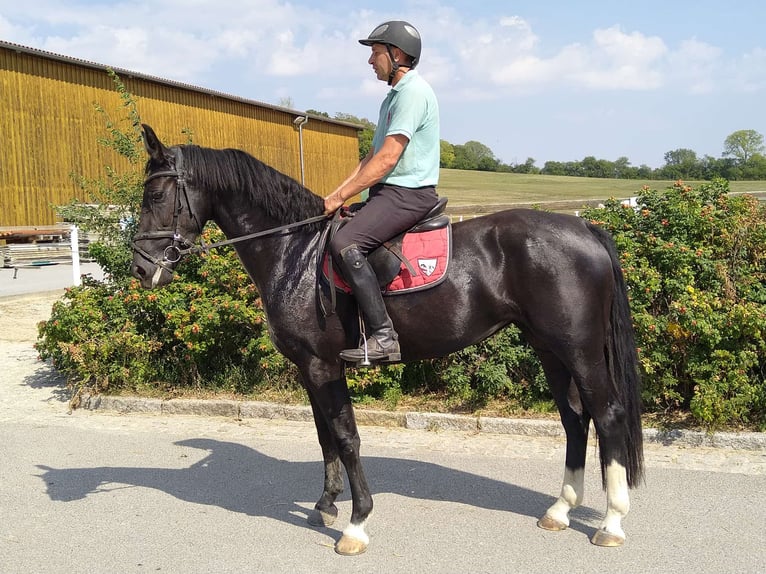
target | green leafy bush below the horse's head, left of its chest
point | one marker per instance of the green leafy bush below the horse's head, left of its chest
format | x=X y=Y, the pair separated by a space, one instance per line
x=206 y=329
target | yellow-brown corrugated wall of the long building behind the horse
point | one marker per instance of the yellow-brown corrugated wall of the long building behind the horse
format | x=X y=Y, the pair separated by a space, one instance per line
x=49 y=130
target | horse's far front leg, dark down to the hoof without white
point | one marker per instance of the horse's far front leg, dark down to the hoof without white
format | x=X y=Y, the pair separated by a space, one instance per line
x=325 y=512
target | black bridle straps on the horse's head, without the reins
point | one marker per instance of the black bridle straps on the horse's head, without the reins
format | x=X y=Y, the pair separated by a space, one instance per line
x=180 y=246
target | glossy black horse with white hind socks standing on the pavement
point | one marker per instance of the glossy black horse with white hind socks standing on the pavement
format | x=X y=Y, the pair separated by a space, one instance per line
x=555 y=276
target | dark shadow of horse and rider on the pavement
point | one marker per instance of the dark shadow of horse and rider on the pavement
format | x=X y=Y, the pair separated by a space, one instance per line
x=243 y=480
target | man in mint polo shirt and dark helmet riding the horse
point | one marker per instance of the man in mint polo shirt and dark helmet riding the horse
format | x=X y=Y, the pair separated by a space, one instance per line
x=401 y=171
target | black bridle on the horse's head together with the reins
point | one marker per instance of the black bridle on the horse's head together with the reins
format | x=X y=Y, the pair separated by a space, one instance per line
x=182 y=246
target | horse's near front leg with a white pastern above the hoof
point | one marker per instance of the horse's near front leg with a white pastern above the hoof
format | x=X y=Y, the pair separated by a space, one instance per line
x=333 y=401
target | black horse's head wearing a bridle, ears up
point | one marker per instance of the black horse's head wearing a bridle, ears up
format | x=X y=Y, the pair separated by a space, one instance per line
x=172 y=214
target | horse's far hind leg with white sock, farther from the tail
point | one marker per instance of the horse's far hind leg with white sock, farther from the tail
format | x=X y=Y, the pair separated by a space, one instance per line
x=575 y=421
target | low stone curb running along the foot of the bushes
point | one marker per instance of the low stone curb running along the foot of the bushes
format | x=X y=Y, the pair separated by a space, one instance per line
x=409 y=420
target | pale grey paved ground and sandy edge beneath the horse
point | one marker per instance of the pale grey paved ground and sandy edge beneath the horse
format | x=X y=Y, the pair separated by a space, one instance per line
x=100 y=491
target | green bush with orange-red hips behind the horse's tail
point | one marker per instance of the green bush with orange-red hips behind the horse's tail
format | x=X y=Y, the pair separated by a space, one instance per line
x=695 y=264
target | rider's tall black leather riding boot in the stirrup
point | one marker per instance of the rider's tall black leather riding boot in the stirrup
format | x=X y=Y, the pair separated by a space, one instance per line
x=382 y=341
